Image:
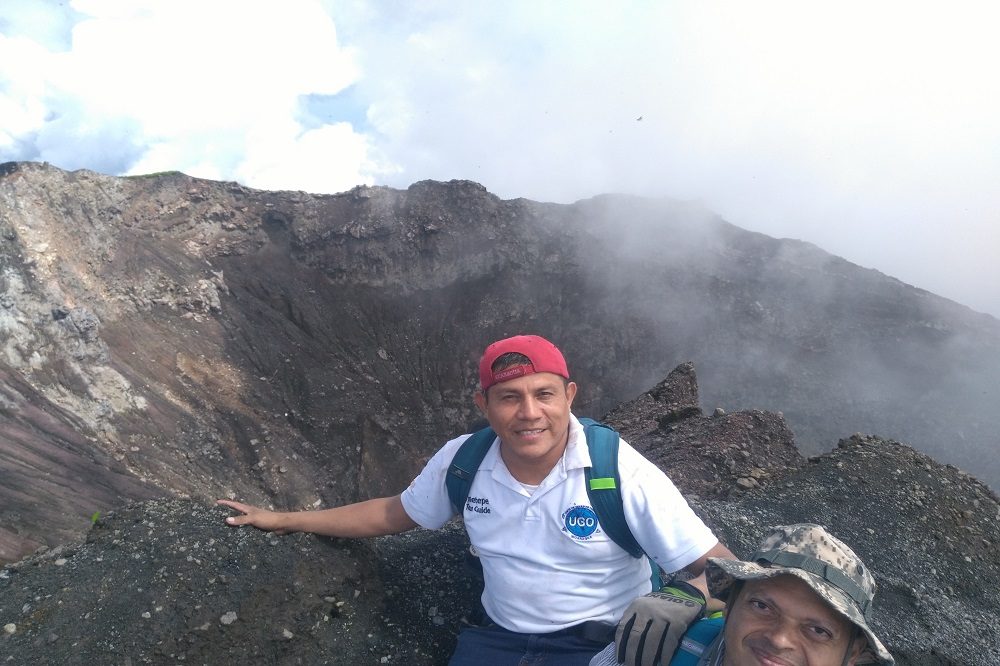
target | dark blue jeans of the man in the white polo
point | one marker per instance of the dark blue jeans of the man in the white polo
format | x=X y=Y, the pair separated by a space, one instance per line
x=496 y=646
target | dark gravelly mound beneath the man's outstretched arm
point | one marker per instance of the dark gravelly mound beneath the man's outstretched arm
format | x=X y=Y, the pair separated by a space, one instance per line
x=166 y=582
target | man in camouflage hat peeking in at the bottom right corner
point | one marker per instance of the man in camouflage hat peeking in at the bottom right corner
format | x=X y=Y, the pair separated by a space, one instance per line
x=804 y=598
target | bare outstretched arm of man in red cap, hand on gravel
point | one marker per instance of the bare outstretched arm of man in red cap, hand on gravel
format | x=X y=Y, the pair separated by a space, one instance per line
x=376 y=517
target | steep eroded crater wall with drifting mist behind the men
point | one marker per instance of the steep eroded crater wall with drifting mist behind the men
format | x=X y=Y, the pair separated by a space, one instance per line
x=168 y=336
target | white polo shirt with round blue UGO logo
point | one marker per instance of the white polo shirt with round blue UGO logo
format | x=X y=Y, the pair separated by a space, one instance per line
x=547 y=563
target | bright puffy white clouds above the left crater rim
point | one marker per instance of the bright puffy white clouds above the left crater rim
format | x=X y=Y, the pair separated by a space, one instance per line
x=200 y=87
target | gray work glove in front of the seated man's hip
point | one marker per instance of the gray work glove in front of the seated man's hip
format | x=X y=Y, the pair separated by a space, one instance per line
x=652 y=626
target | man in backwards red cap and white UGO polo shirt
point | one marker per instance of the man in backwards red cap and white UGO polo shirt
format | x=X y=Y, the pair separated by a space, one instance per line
x=551 y=574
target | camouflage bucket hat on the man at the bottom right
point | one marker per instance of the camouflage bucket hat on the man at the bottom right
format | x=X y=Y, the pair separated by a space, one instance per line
x=823 y=561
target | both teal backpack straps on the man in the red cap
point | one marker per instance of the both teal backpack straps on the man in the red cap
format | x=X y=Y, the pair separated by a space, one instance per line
x=602 y=480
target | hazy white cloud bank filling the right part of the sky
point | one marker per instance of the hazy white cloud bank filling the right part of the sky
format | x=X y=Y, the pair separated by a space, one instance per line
x=872 y=130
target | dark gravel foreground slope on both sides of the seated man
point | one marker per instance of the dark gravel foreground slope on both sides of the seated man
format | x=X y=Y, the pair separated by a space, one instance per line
x=166 y=582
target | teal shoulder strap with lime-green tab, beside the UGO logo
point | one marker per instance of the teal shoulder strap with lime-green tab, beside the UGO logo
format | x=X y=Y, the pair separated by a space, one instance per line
x=603 y=485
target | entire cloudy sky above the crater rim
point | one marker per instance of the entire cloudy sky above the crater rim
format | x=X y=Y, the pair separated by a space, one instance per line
x=871 y=129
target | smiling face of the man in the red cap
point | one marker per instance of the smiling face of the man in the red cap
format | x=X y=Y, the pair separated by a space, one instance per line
x=531 y=416
